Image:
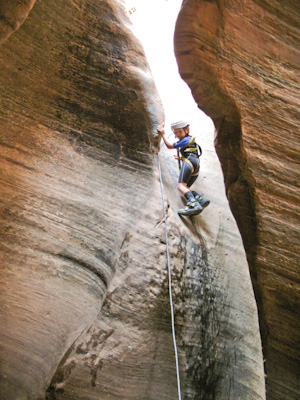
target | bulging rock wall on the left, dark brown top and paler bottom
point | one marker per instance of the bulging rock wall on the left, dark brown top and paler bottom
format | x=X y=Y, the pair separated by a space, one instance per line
x=72 y=81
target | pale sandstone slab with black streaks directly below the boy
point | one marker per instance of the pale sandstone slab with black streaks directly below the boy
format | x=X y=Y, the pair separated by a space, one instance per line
x=128 y=351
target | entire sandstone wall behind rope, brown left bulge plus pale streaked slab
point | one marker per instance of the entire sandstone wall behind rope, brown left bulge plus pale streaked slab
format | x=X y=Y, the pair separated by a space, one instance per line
x=84 y=295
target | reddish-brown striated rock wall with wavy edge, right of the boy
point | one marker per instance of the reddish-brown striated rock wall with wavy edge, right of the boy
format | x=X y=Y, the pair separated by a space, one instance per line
x=241 y=61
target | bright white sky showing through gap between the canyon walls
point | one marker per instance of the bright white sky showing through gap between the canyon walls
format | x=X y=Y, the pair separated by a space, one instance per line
x=153 y=24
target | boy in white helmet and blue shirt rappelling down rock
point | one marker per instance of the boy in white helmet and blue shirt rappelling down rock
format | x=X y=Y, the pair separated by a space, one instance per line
x=190 y=153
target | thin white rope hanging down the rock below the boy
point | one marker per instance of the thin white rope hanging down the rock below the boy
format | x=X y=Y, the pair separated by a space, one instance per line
x=170 y=283
